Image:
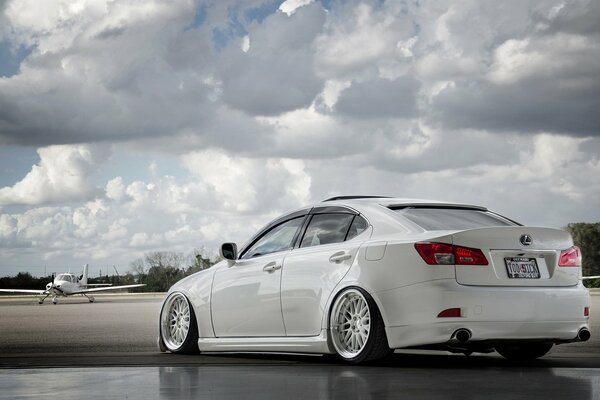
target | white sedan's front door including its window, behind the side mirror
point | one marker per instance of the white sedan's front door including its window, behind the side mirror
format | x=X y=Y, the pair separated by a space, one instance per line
x=246 y=294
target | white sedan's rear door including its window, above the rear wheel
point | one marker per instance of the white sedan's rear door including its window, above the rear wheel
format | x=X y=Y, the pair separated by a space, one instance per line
x=311 y=272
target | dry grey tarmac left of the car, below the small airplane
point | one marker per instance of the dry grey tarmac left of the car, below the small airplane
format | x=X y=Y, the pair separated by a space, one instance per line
x=125 y=323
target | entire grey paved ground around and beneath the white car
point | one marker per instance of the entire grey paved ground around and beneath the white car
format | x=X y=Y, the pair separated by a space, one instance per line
x=108 y=350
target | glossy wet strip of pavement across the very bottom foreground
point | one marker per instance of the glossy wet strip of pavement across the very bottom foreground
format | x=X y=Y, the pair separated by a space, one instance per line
x=303 y=381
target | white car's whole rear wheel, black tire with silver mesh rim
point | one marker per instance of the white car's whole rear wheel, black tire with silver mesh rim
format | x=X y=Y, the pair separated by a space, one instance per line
x=357 y=332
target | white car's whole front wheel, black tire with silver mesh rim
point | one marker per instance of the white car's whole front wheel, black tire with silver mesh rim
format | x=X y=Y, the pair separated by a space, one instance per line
x=178 y=329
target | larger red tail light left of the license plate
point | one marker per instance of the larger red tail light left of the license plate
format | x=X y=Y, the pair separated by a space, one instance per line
x=447 y=254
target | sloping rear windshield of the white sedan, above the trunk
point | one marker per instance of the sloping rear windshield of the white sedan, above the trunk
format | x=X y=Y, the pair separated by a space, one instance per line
x=435 y=218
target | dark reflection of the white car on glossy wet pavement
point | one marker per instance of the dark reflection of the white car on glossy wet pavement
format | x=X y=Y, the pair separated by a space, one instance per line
x=369 y=382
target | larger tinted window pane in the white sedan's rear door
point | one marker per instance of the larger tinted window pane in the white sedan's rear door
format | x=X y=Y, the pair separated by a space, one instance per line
x=326 y=229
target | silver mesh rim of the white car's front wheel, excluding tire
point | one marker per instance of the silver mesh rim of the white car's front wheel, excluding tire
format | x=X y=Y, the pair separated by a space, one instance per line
x=176 y=319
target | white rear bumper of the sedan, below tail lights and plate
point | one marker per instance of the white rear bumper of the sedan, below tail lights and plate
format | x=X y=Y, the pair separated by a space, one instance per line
x=488 y=313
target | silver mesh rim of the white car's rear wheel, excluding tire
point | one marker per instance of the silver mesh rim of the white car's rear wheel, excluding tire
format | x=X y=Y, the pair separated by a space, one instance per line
x=350 y=324
